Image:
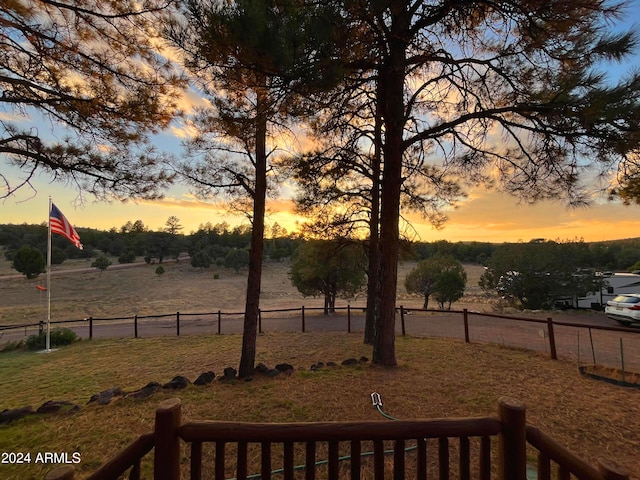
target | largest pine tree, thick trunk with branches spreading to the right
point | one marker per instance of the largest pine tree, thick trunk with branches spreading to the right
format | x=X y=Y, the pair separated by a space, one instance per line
x=455 y=76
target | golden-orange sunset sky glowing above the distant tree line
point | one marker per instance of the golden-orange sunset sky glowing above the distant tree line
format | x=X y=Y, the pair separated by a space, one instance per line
x=485 y=215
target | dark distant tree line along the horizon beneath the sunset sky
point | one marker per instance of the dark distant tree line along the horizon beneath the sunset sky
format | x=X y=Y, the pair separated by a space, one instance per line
x=214 y=242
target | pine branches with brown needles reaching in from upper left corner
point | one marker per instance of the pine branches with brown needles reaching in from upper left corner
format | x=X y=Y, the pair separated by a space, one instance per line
x=94 y=68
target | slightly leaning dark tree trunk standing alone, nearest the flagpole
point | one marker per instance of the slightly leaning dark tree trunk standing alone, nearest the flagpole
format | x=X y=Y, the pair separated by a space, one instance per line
x=256 y=250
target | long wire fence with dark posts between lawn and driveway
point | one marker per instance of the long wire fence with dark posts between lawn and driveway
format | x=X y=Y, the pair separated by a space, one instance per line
x=586 y=344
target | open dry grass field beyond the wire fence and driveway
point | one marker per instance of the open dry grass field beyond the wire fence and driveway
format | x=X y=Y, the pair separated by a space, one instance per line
x=138 y=290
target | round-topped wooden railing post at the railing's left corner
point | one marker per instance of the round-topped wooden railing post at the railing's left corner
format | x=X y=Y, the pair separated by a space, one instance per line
x=166 y=462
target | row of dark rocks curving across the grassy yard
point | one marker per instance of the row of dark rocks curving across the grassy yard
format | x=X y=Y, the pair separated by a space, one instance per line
x=176 y=383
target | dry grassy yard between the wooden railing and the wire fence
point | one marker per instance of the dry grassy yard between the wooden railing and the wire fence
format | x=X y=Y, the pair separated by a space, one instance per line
x=434 y=378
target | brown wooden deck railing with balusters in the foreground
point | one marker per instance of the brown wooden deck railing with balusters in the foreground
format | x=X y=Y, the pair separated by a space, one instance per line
x=238 y=448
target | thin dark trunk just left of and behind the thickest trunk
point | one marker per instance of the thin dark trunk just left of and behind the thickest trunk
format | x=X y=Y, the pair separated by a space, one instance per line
x=374 y=233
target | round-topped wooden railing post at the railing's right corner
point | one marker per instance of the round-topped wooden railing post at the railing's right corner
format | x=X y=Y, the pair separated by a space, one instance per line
x=513 y=440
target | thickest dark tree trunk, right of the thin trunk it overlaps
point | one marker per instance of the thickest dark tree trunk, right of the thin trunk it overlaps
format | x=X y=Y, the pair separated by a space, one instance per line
x=392 y=101
